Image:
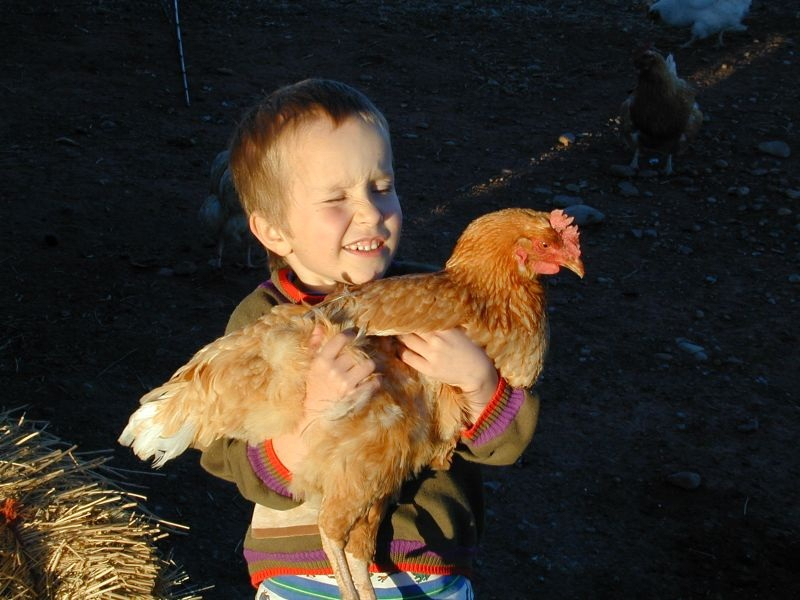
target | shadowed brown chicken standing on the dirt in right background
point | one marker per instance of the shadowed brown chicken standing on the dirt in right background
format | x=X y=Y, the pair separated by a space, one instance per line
x=660 y=114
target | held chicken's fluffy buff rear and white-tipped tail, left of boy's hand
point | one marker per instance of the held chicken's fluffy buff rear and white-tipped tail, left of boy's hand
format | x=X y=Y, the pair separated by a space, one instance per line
x=247 y=385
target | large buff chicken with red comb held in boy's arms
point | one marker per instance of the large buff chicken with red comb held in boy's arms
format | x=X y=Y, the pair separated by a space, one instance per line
x=241 y=385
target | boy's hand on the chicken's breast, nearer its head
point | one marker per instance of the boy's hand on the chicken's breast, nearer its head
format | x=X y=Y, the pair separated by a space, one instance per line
x=452 y=358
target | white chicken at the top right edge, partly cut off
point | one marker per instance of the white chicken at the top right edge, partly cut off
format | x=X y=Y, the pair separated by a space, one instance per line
x=706 y=17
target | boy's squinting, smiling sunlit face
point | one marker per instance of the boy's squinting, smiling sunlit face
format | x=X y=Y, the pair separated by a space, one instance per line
x=343 y=212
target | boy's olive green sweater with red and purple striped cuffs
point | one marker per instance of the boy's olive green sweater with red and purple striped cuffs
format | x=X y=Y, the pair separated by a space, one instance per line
x=437 y=522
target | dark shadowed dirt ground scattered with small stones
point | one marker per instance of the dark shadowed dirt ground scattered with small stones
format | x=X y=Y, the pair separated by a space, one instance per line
x=107 y=287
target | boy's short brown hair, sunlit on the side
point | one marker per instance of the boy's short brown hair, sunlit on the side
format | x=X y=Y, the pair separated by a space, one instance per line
x=257 y=158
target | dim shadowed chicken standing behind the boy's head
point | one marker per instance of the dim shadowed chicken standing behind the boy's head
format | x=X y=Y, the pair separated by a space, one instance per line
x=221 y=213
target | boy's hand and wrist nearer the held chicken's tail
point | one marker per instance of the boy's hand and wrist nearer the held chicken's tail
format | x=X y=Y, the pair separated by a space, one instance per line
x=332 y=375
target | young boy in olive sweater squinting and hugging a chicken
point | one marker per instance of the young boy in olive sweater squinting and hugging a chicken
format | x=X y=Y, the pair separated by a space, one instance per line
x=313 y=167
